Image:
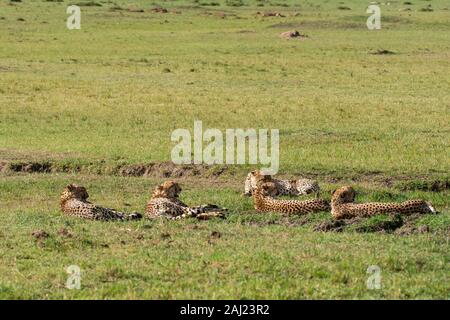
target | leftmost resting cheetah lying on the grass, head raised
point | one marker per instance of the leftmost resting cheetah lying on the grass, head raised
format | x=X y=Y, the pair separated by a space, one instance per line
x=74 y=203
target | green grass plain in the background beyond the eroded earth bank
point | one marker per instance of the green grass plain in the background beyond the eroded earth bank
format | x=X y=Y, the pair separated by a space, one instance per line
x=101 y=92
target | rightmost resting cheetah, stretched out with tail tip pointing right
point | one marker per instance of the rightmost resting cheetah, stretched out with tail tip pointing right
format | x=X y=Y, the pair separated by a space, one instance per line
x=343 y=206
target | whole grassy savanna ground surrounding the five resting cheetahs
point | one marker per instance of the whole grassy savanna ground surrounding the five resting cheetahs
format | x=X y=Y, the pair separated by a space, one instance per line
x=91 y=105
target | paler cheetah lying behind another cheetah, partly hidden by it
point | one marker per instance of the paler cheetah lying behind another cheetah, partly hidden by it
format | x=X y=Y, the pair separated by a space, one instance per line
x=284 y=187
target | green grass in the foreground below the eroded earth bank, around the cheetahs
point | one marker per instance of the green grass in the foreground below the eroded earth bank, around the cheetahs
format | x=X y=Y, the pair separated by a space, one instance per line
x=256 y=256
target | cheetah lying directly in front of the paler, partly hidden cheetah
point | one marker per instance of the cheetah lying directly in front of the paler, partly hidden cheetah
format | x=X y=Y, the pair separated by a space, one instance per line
x=264 y=202
